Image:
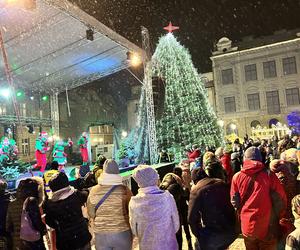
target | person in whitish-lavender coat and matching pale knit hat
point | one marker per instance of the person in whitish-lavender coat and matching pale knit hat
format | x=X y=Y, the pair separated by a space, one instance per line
x=153 y=213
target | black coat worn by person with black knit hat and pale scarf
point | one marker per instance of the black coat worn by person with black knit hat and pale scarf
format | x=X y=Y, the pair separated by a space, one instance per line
x=65 y=216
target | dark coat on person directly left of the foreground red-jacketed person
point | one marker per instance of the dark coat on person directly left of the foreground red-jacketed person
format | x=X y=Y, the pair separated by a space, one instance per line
x=211 y=215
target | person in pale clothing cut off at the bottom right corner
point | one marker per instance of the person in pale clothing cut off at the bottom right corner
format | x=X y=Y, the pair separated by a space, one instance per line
x=293 y=239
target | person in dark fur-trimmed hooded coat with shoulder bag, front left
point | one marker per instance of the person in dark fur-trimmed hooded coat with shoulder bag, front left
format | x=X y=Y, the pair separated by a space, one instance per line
x=29 y=199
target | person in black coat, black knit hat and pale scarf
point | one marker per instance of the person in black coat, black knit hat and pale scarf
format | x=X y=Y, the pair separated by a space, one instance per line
x=64 y=214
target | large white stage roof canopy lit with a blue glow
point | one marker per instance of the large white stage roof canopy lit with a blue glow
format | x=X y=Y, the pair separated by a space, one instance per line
x=48 y=50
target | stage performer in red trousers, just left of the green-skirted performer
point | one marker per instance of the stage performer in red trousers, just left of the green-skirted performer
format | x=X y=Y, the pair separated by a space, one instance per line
x=41 y=148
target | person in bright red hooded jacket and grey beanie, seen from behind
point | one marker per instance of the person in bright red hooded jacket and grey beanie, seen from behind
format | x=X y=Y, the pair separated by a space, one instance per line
x=250 y=193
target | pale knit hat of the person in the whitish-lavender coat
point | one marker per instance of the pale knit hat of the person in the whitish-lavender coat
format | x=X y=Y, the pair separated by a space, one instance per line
x=145 y=176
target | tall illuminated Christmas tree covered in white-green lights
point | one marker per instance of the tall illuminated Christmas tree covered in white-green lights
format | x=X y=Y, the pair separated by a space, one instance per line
x=188 y=118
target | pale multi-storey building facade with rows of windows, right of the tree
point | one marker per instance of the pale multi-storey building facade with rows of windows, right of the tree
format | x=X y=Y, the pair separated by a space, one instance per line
x=257 y=82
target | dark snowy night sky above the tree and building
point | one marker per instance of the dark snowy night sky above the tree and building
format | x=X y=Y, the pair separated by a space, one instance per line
x=202 y=22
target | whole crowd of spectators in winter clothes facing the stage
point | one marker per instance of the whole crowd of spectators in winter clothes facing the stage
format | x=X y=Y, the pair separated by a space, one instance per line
x=248 y=189
